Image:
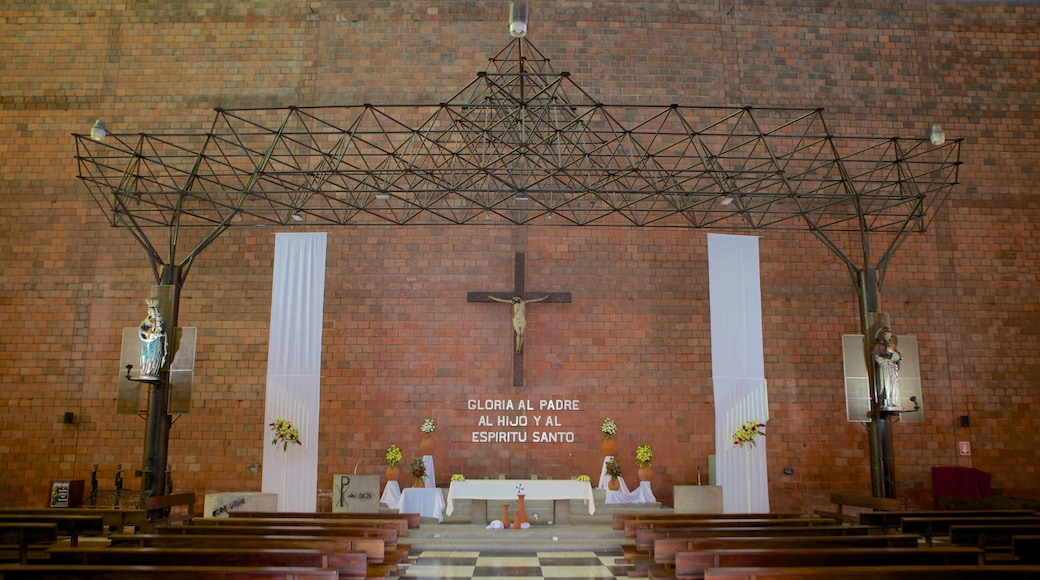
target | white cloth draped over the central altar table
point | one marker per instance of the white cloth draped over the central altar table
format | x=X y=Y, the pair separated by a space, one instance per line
x=533 y=490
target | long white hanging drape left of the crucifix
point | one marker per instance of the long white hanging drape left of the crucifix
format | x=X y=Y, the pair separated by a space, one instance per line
x=295 y=368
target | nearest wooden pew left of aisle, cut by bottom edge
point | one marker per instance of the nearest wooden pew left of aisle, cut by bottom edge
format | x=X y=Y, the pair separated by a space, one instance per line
x=59 y=572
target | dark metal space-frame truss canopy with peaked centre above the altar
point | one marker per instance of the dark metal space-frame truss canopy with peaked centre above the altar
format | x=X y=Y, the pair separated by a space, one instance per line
x=523 y=145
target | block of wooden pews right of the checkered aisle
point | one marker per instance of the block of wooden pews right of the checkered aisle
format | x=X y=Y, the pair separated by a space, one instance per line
x=784 y=546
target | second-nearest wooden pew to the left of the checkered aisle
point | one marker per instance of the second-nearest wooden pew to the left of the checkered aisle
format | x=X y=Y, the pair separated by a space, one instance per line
x=350 y=565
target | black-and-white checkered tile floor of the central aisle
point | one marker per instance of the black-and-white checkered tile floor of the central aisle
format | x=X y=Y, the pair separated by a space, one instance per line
x=587 y=565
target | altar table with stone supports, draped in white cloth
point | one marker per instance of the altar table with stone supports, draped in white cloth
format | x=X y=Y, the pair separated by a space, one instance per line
x=560 y=491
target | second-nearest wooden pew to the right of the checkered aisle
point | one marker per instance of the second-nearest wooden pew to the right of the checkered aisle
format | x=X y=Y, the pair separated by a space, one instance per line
x=693 y=565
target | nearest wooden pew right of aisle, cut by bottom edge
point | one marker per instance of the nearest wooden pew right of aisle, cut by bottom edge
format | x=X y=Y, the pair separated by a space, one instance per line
x=875 y=572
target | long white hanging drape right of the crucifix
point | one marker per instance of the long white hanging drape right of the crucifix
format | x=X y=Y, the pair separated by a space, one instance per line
x=738 y=368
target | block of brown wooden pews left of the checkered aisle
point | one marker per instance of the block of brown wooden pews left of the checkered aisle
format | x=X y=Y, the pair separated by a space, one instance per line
x=256 y=545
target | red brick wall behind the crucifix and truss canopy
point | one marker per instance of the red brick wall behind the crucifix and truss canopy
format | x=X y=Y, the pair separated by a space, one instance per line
x=401 y=341
